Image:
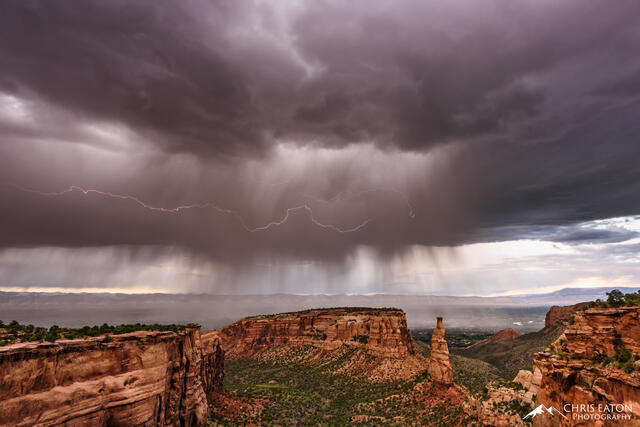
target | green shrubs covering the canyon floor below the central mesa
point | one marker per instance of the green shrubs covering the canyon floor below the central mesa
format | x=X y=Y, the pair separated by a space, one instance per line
x=295 y=393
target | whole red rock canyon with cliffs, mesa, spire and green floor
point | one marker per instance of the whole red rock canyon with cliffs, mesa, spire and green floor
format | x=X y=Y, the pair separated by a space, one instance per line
x=165 y=378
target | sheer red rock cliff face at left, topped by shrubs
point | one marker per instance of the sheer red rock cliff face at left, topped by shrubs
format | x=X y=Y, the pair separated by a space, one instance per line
x=137 y=379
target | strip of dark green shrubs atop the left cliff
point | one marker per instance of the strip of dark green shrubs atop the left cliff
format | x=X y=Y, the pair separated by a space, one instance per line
x=16 y=332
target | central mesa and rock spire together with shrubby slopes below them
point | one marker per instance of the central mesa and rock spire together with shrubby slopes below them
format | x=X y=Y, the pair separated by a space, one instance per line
x=337 y=366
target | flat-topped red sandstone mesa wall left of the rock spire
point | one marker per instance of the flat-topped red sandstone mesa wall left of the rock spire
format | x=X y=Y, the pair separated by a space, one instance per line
x=381 y=332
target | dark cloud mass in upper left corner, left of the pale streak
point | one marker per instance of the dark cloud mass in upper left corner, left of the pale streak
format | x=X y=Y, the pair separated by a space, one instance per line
x=145 y=64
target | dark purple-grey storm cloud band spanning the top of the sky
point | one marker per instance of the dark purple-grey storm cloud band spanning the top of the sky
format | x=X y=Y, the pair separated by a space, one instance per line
x=202 y=77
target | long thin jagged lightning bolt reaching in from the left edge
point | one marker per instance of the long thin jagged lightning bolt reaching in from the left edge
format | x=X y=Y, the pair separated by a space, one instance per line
x=206 y=205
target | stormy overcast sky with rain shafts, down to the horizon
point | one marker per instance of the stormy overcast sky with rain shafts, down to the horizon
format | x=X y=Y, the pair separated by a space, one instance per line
x=457 y=147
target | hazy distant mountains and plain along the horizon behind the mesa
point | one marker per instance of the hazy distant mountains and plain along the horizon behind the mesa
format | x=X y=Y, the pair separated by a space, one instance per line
x=524 y=313
